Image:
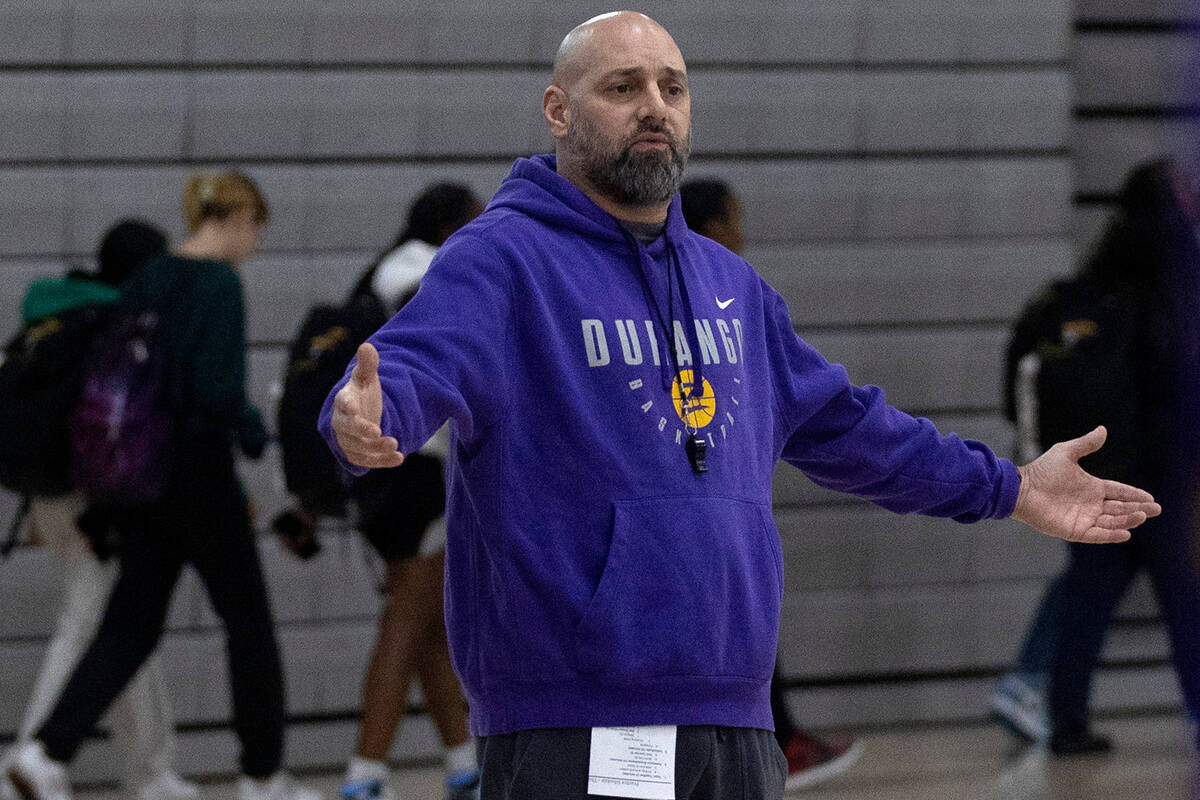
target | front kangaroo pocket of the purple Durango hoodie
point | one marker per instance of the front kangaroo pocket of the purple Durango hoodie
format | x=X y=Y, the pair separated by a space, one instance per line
x=692 y=587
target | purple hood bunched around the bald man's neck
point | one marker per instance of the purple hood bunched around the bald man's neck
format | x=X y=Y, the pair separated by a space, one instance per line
x=536 y=189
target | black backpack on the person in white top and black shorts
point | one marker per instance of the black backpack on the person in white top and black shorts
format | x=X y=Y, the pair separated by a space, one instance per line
x=319 y=356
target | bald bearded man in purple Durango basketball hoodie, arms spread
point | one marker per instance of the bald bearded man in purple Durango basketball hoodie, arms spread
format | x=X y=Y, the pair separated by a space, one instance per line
x=620 y=392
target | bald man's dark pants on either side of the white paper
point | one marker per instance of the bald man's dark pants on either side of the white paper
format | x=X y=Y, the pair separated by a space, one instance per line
x=712 y=763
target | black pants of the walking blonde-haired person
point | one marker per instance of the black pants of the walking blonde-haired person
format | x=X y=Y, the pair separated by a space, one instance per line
x=202 y=522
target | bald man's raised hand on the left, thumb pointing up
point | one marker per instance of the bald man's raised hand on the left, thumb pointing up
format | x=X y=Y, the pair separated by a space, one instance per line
x=358 y=411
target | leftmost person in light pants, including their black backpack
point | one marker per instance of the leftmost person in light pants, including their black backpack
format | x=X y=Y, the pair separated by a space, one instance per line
x=73 y=310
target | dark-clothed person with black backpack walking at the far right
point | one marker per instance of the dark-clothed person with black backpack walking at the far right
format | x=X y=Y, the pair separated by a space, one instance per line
x=1117 y=346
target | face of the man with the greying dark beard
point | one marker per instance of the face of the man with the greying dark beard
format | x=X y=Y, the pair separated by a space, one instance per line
x=631 y=118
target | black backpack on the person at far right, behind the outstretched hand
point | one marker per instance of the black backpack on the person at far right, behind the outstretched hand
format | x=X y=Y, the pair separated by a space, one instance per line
x=1076 y=363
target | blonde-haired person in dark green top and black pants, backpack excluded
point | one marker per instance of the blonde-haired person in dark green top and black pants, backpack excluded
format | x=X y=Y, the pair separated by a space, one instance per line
x=202 y=518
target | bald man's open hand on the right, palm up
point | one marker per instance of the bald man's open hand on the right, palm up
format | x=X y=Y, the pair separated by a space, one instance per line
x=1059 y=498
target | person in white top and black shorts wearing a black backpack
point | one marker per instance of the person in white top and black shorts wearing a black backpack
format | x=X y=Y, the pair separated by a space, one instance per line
x=400 y=513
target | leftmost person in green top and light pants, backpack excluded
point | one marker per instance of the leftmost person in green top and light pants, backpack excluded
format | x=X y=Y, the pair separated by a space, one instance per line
x=142 y=721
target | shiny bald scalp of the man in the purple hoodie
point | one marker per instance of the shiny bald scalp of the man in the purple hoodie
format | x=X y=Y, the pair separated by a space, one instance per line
x=617 y=33
